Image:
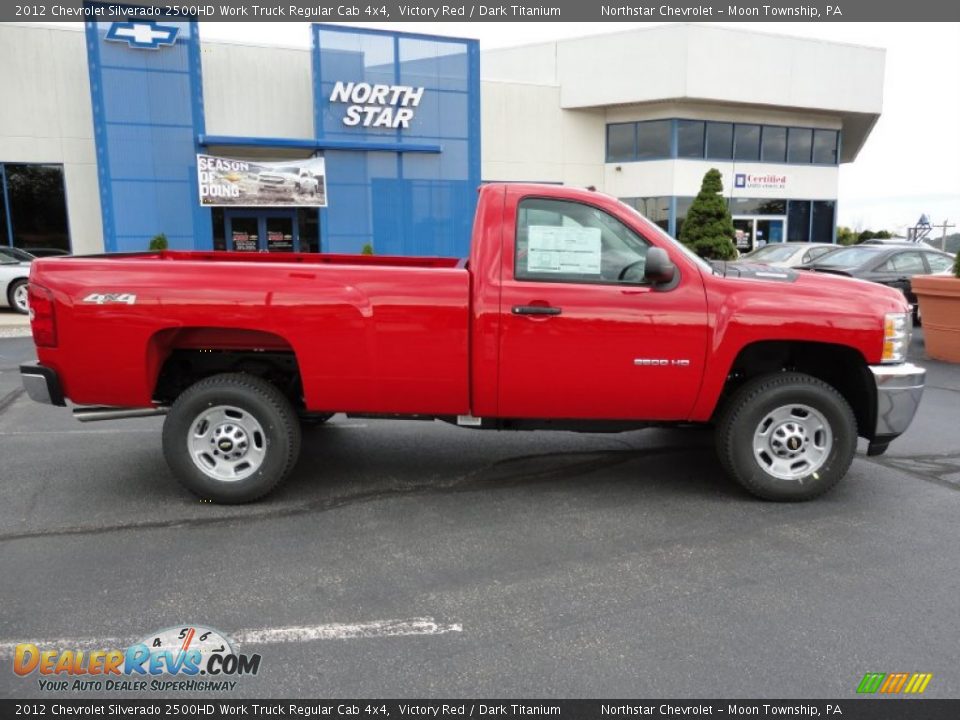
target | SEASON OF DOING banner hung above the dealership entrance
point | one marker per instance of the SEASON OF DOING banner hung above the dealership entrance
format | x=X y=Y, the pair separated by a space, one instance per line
x=285 y=183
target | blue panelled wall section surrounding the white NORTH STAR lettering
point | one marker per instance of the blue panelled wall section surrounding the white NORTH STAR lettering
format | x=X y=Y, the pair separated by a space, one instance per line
x=402 y=203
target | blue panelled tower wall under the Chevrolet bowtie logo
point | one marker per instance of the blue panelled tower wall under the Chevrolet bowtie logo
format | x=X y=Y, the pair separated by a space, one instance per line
x=148 y=113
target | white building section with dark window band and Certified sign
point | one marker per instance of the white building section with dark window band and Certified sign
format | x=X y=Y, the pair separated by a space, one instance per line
x=644 y=114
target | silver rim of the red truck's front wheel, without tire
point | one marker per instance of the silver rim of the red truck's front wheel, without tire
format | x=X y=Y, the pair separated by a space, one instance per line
x=792 y=442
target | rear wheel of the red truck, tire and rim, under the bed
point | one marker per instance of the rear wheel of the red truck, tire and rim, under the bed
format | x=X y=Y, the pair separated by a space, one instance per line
x=231 y=438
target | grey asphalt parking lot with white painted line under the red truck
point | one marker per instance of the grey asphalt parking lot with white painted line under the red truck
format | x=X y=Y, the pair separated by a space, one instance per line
x=527 y=564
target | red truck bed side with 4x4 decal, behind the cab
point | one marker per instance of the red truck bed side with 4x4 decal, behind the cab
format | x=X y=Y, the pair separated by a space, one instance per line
x=370 y=333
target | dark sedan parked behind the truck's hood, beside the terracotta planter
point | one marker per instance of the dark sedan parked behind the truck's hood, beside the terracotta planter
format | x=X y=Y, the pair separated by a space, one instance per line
x=891 y=265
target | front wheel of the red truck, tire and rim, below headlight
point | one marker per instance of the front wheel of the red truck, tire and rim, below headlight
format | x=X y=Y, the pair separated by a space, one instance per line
x=787 y=437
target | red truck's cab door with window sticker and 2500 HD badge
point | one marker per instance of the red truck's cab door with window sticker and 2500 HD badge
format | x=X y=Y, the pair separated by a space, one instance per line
x=583 y=336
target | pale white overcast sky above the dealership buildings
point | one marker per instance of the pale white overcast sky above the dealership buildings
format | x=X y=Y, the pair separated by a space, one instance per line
x=909 y=165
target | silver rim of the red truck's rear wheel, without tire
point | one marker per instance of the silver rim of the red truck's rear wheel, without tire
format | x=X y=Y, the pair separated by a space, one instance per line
x=227 y=443
